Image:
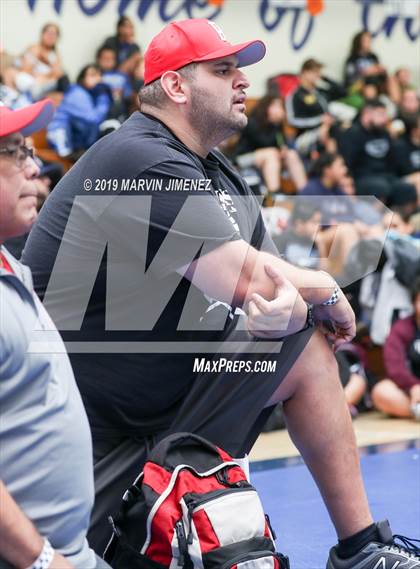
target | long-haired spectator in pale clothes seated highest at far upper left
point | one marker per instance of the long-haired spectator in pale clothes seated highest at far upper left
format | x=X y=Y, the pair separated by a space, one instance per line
x=40 y=70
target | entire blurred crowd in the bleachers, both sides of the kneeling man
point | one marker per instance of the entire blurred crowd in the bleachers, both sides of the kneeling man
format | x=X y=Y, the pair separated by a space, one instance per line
x=314 y=148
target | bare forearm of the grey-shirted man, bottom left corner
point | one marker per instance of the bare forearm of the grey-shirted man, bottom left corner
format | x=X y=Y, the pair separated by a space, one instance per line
x=20 y=543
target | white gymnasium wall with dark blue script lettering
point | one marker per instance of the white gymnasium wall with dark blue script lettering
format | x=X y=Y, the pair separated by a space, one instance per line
x=289 y=30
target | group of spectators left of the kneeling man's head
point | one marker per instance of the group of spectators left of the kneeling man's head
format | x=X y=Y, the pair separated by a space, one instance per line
x=101 y=98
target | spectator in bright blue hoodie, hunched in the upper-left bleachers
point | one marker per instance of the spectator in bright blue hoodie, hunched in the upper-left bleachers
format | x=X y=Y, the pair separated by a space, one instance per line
x=75 y=126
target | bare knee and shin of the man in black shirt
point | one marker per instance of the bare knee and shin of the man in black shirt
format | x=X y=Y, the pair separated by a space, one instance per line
x=319 y=424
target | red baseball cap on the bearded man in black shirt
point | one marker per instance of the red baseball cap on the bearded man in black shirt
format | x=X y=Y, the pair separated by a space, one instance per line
x=196 y=39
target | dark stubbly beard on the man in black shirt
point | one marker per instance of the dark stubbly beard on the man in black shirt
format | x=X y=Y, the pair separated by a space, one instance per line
x=211 y=124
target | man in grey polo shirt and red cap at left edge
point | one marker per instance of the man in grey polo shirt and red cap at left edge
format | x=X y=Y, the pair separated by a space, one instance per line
x=45 y=505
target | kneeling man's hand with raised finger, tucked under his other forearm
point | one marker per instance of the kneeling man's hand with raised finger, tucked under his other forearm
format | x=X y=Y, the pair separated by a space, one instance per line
x=283 y=316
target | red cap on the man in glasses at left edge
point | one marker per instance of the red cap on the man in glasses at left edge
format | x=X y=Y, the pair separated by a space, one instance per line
x=26 y=120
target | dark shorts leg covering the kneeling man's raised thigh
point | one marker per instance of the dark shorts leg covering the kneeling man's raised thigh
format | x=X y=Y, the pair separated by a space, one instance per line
x=229 y=407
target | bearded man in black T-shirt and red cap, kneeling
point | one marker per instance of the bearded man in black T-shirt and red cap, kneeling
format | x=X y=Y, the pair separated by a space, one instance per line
x=208 y=258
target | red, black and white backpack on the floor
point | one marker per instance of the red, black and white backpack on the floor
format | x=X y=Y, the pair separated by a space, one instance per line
x=192 y=507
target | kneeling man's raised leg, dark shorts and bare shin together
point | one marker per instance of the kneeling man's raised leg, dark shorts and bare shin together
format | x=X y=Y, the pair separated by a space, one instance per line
x=227 y=409
